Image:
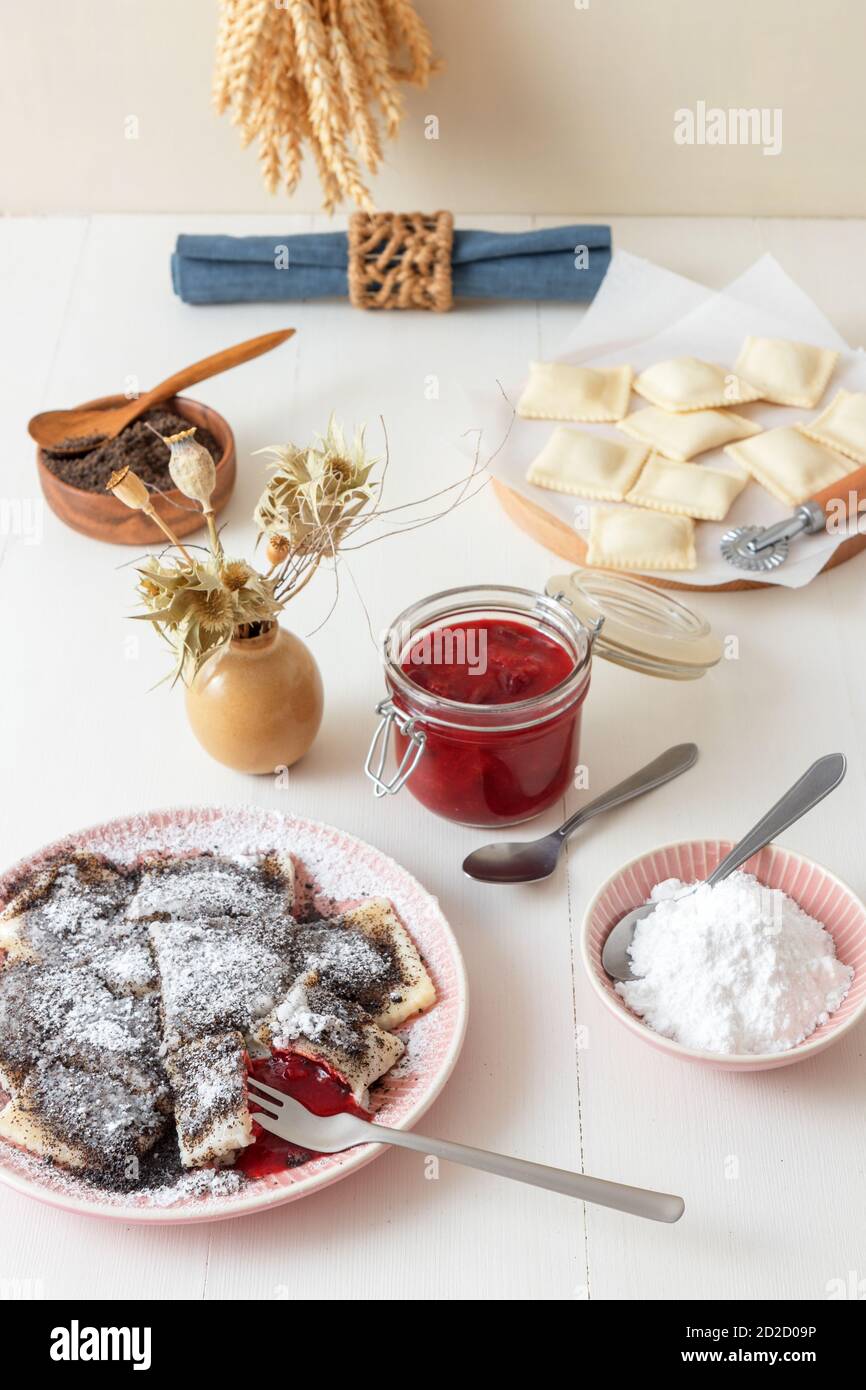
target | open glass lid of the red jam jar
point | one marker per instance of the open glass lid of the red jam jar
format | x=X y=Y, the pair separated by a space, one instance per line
x=644 y=628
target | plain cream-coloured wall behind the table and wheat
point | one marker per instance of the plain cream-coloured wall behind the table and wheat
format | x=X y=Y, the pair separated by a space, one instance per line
x=546 y=106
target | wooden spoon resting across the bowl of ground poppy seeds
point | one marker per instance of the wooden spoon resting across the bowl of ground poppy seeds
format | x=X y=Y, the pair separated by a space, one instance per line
x=52 y=429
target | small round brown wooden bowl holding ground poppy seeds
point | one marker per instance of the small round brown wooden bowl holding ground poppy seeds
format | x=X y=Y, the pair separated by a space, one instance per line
x=104 y=518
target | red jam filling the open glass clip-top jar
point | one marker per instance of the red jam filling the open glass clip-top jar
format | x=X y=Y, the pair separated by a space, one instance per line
x=491 y=768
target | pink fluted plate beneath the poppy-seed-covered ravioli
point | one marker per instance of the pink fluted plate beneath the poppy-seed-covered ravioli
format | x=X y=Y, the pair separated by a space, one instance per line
x=343 y=869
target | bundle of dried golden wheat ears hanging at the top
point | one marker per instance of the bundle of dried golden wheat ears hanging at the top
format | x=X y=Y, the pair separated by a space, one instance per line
x=315 y=73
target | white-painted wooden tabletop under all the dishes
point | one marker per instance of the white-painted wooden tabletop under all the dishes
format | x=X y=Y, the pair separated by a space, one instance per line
x=772 y=1166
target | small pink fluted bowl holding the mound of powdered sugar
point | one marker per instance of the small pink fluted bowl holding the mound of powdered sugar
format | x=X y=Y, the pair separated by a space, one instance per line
x=817 y=890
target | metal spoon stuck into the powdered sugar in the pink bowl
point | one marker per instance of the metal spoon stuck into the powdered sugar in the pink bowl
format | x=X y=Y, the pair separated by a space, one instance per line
x=817 y=783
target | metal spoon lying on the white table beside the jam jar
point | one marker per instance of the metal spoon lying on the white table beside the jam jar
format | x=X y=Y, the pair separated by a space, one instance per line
x=528 y=861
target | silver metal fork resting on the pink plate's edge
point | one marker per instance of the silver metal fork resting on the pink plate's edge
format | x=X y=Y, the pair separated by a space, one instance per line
x=293 y=1122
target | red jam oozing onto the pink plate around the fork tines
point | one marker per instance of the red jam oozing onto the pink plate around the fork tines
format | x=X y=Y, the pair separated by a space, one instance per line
x=307 y=1081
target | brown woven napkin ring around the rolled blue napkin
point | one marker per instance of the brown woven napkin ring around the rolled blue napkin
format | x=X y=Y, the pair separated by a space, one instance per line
x=401 y=261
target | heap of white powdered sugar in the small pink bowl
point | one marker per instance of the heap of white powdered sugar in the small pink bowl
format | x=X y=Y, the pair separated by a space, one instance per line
x=737 y=968
